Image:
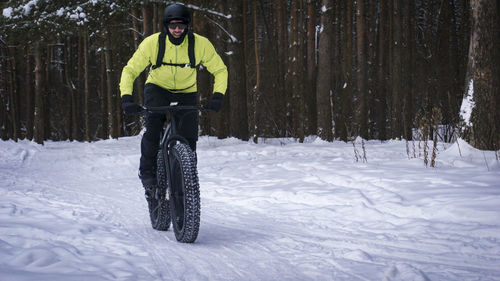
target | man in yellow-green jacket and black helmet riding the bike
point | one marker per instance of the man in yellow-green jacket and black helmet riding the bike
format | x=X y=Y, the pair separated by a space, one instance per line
x=171 y=79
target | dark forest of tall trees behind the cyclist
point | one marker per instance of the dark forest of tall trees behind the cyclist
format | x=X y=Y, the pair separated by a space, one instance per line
x=375 y=69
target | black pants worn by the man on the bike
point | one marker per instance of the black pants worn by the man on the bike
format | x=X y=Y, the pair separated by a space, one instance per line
x=157 y=96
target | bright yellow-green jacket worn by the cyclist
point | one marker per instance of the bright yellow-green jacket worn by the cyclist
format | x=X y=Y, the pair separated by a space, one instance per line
x=174 y=78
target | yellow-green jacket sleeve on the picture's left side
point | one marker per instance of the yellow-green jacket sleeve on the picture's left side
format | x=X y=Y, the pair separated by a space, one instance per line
x=139 y=61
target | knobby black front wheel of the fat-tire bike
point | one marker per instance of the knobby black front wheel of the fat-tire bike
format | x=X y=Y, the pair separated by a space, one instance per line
x=184 y=193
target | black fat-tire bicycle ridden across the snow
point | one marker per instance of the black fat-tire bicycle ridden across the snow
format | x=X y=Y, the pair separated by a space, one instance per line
x=176 y=199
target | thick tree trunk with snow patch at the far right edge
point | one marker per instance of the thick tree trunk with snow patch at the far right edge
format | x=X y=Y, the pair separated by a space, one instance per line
x=483 y=75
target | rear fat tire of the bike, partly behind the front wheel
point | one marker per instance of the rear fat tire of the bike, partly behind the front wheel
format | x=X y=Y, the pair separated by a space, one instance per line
x=159 y=207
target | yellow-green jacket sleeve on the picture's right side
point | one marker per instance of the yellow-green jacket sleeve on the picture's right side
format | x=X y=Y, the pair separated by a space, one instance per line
x=214 y=64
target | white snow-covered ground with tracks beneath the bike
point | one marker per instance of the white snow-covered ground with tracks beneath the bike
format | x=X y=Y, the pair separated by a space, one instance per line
x=278 y=210
